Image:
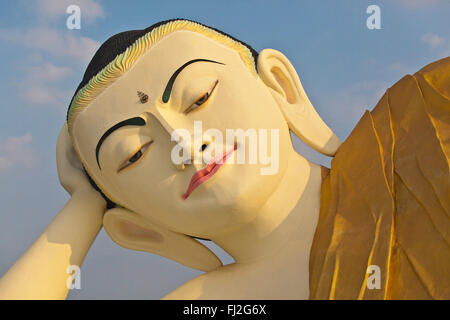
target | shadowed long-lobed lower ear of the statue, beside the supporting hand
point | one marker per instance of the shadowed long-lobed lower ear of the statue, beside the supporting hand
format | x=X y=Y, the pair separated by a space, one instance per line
x=131 y=231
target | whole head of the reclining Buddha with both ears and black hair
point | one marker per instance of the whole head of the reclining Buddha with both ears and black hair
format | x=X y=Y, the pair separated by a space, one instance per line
x=144 y=87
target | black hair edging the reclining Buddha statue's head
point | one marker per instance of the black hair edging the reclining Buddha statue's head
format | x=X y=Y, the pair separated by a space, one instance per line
x=116 y=45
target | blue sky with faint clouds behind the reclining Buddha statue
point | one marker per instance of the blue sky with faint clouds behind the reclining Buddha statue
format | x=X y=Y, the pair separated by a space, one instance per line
x=344 y=67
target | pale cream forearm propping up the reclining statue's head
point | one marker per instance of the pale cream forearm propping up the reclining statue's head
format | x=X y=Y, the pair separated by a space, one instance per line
x=41 y=272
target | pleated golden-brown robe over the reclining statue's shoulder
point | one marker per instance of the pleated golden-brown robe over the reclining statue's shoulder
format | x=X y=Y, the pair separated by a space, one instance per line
x=386 y=199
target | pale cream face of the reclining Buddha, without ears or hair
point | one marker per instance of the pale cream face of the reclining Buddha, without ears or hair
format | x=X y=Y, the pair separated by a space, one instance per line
x=124 y=139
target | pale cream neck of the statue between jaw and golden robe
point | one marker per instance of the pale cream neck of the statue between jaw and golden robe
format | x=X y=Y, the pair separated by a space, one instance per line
x=290 y=214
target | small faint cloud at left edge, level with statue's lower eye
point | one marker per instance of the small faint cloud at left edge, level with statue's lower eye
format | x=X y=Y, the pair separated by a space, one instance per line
x=15 y=152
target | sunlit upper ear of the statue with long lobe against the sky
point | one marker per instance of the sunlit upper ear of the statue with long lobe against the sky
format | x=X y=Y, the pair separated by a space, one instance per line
x=279 y=75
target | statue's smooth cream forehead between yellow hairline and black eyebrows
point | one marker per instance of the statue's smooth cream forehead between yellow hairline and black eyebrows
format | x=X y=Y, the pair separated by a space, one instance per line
x=150 y=75
